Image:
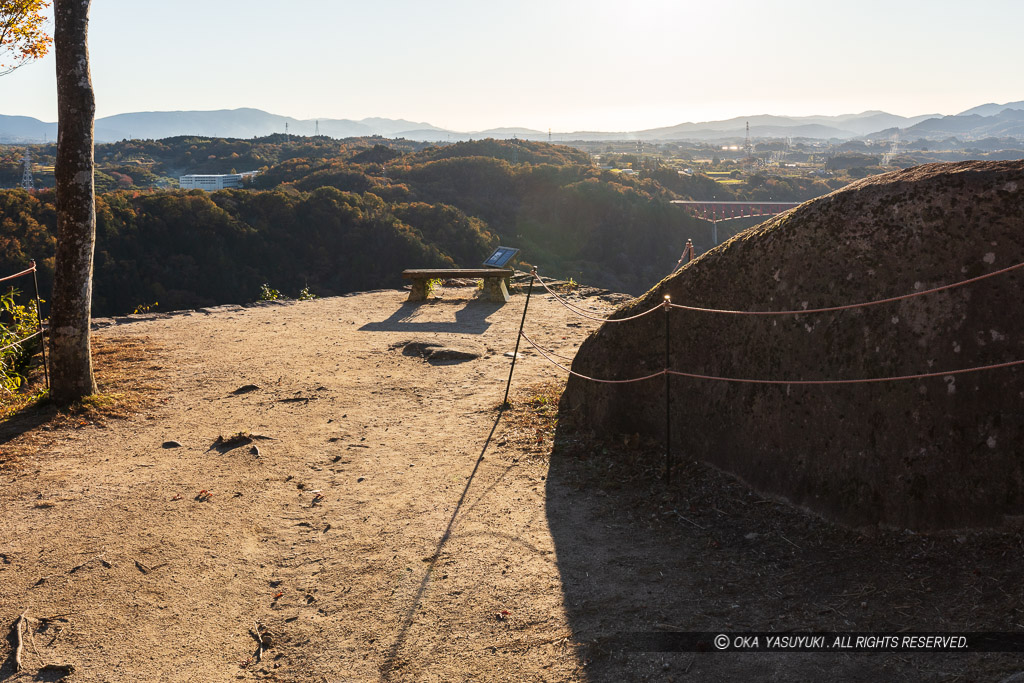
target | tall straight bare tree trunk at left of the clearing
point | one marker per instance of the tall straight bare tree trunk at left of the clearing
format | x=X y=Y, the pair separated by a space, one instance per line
x=71 y=361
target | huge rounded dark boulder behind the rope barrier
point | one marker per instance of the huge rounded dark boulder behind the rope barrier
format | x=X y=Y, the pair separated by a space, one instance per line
x=930 y=454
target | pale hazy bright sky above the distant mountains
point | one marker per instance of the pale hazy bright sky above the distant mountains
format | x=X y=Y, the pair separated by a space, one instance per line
x=566 y=65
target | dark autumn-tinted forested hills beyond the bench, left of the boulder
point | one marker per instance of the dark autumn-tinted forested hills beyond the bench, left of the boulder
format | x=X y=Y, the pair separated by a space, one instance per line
x=342 y=217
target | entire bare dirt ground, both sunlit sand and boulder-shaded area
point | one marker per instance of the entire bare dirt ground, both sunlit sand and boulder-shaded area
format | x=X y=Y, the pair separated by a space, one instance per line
x=385 y=521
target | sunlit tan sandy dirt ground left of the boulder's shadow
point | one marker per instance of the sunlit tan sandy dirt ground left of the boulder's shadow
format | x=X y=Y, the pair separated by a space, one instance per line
x=381 y=534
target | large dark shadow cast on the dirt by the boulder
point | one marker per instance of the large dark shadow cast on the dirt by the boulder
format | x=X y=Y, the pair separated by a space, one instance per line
x=709 y=556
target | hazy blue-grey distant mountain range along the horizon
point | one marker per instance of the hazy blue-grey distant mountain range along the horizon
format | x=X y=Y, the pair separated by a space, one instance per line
x=986 y=121
